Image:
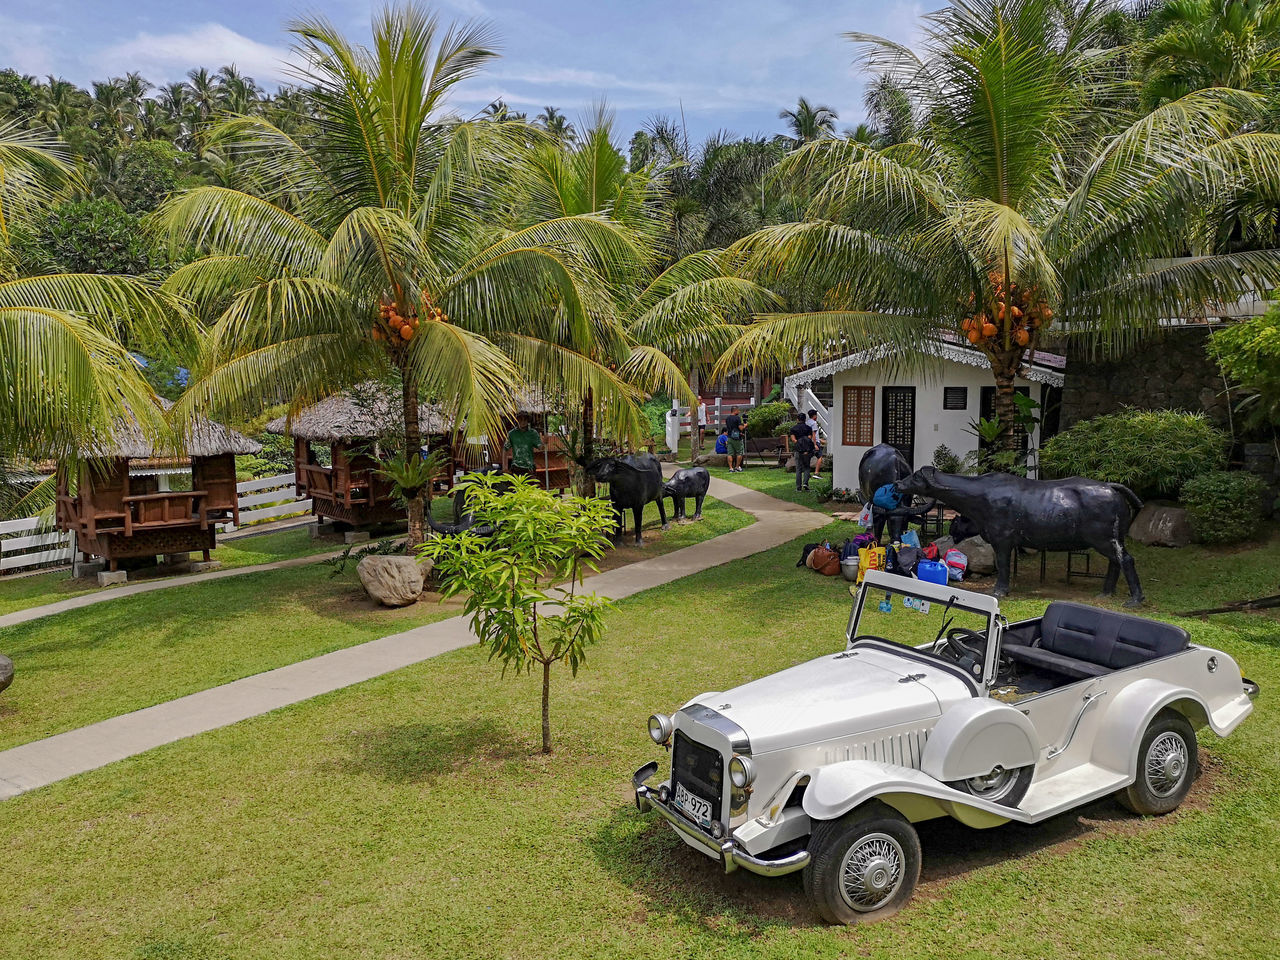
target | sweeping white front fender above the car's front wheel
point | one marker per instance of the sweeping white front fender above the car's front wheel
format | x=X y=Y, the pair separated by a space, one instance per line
x=839 y=788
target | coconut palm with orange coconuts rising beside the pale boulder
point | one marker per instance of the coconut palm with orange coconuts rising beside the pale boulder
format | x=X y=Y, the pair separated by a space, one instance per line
x=373 y=249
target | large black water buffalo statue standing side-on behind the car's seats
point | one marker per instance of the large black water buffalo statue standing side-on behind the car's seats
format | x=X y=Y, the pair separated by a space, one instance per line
x=1048 y=515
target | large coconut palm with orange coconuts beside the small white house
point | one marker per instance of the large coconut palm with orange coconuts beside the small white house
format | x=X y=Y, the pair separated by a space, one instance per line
x=1014 y=211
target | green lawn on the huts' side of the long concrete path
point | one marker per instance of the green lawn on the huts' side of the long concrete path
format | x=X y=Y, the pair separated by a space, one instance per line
x=132 y=652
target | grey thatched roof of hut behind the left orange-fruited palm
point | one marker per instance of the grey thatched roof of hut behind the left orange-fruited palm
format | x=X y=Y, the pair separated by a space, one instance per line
x=365 y=412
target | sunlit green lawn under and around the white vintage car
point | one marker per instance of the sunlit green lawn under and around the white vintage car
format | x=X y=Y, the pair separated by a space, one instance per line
x=412 y=817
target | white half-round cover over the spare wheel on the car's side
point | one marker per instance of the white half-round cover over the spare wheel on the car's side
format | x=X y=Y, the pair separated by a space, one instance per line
x=976 y=737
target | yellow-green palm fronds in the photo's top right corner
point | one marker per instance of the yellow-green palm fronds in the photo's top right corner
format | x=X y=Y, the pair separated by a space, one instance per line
x=1197 y=44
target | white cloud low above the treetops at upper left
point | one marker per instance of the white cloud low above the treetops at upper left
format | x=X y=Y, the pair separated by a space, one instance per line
x=166 y=57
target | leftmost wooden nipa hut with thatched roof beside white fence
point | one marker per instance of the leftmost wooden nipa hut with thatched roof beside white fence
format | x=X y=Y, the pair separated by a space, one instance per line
x=120 y=510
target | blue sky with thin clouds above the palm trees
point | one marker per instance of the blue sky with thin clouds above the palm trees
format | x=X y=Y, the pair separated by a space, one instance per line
x=728 y=65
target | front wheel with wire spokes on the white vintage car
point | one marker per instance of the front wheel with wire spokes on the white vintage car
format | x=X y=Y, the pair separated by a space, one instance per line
x=865 y=866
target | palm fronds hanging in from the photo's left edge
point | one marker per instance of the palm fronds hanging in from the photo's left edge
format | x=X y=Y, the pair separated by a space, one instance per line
x=66 y=374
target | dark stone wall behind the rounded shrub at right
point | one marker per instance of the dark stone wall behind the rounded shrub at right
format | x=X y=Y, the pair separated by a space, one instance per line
x=1167 y=373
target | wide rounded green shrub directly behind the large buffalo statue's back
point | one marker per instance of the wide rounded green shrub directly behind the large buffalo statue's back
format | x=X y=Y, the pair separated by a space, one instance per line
x=1150 y=451
